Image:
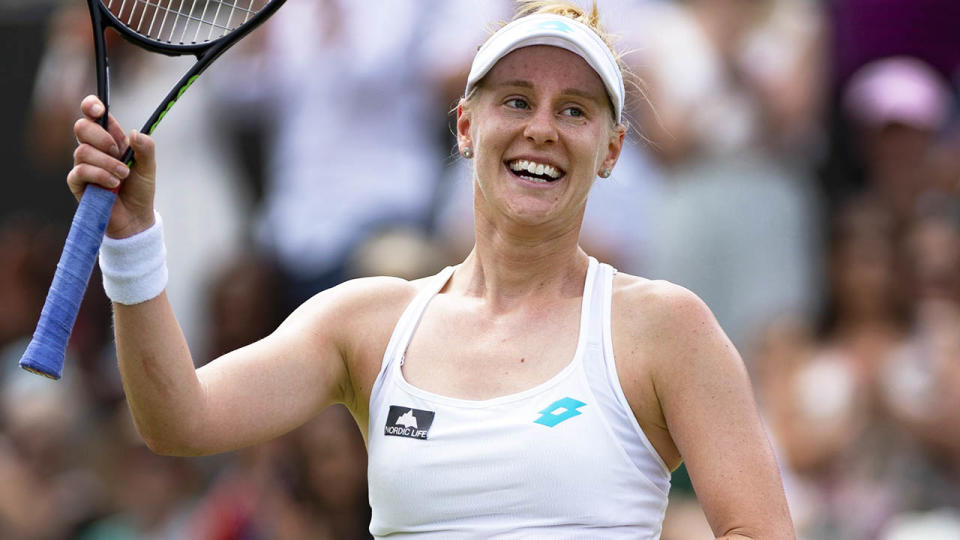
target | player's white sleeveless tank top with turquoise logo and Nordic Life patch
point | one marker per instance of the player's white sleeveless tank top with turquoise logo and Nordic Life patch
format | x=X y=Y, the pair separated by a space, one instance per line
x=564 y=459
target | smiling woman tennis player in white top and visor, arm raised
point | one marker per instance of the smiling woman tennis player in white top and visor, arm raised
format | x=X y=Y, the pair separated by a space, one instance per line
x=530 y=391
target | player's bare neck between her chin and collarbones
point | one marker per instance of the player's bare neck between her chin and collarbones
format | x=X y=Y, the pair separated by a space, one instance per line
x=512 y=262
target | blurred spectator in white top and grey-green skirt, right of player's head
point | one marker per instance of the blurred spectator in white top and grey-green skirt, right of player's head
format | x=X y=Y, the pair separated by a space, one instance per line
x=735 y=88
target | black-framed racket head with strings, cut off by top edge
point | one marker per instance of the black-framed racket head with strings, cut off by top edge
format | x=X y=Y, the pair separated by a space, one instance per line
x=179 y=27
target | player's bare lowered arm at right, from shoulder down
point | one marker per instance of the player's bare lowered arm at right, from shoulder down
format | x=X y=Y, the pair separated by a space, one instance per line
x=705 y=405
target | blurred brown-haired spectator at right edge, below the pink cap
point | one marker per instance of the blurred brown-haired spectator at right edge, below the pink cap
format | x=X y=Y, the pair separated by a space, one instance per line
x=920 y=379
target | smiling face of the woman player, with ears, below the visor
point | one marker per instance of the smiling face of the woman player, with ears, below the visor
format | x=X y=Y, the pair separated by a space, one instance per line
x=541 y=129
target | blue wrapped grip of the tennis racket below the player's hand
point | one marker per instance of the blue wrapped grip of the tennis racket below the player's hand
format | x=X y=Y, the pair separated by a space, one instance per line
x=45 y=353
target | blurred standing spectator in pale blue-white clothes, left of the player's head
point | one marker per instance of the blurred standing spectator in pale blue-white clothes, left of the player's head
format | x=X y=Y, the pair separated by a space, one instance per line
x=332 y=147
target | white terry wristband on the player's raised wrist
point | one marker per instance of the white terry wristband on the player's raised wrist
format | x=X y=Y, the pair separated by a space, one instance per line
x=135 y=268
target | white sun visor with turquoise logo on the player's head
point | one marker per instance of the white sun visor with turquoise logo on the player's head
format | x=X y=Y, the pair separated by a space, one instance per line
x=556 y=31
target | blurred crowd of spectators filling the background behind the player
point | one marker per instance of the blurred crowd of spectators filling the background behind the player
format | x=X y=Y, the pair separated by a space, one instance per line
x=796 y=163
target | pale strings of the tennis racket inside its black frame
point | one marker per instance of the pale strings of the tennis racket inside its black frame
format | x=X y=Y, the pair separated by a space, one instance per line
x=177 y=21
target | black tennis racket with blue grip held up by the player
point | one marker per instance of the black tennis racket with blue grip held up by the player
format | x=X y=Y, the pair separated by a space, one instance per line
x=202 y=28
